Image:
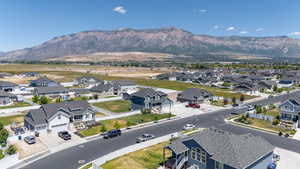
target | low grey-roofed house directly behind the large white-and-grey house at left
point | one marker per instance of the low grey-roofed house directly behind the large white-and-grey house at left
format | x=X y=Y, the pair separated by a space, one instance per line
x=53 y=91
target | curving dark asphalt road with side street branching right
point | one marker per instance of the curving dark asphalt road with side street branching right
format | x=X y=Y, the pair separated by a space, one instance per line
x=68 y=159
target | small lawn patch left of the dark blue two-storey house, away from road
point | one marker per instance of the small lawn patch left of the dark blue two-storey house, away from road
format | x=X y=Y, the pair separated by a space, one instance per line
x=117 y=106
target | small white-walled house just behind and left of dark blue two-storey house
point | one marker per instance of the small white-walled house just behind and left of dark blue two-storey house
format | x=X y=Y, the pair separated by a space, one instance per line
x=123 y=86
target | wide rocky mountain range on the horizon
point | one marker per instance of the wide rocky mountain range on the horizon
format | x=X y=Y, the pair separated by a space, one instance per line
x=165 y=40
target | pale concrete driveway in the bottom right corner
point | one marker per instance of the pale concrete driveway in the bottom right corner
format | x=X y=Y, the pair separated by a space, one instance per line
x=288 y=159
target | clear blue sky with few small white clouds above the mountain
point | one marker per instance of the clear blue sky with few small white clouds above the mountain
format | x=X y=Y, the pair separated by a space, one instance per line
x=26 y=23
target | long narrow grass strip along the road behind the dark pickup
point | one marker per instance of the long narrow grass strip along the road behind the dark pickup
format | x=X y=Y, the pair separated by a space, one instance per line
x=123 y=122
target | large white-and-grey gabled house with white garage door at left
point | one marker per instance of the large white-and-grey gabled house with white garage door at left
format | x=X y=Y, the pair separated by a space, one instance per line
x=59 y=116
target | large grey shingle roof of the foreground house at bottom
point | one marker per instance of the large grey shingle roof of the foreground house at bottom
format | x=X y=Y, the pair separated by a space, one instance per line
x=238 y=151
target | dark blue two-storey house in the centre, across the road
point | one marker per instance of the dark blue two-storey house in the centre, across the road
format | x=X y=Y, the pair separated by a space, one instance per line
x=148 y=99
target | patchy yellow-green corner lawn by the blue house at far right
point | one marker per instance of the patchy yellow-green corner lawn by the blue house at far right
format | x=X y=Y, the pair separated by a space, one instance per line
x=268 y=125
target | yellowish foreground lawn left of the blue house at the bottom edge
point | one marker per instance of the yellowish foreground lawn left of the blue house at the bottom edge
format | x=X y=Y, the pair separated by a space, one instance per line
x=147 y=158
